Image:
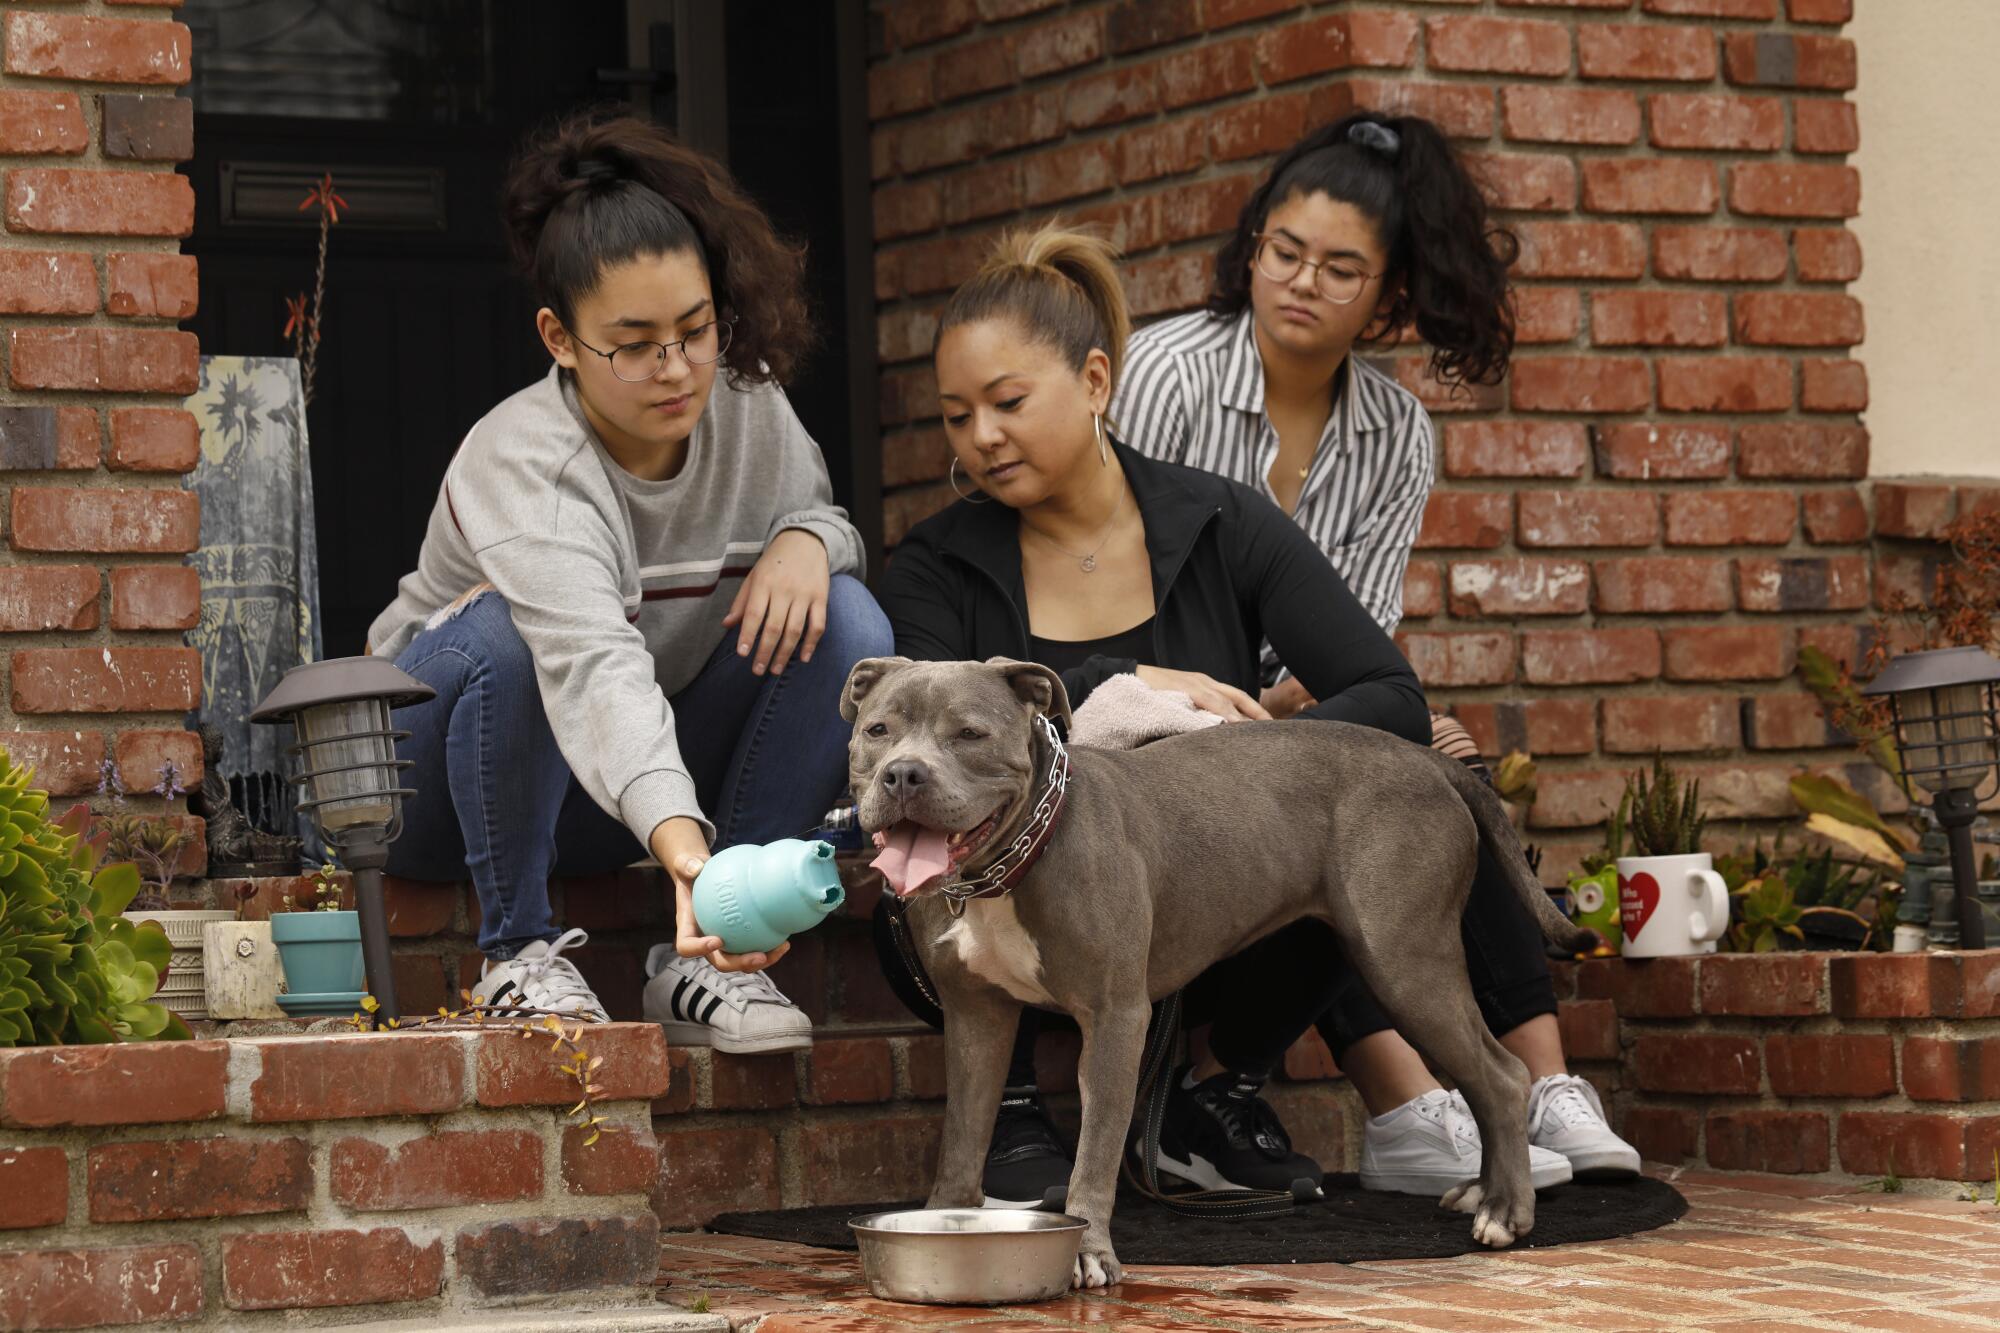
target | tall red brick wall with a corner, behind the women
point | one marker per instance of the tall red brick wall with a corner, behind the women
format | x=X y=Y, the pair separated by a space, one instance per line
x=1633 y=537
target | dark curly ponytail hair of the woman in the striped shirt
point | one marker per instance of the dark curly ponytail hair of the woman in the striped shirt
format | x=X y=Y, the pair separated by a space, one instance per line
x=1447 y=261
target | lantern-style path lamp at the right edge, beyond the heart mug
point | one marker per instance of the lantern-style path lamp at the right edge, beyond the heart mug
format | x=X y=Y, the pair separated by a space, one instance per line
x=1947 y=714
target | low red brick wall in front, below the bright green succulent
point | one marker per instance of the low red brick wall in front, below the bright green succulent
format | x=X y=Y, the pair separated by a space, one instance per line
x=419 y=1174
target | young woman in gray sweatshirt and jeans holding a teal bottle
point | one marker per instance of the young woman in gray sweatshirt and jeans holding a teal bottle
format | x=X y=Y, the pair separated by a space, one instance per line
x=637 y=599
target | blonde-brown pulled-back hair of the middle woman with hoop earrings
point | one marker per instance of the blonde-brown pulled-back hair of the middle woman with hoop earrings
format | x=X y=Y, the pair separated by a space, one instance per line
x=1059 y=285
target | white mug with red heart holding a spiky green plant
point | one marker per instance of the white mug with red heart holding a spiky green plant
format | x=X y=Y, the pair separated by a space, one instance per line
x=1671 y=902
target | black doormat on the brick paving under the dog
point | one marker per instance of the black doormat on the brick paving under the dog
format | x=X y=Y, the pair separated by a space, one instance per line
x=1349 y=1226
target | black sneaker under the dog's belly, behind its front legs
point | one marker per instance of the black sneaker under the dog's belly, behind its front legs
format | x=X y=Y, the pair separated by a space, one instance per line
x=1223 y=1136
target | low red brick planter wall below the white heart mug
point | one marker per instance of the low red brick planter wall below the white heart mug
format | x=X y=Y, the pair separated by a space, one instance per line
x=1807 y=1064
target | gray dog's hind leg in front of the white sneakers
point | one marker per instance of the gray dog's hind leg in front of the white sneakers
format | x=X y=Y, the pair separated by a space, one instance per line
x=1433 y=1006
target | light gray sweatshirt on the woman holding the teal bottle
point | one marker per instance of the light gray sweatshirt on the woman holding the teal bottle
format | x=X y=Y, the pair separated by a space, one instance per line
x=617 y=585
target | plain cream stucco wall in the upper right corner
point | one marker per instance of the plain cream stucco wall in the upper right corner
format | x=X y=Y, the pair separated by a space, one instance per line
x=1931 y=193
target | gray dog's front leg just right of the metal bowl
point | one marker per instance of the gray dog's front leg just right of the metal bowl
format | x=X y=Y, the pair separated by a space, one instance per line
x=1107 y=1076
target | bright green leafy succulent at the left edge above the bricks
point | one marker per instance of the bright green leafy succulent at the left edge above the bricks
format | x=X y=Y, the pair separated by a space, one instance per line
x=73 y=970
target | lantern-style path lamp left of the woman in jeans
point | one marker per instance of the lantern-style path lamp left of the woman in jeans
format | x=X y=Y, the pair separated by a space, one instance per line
x=349 y=770
